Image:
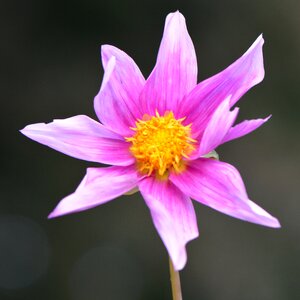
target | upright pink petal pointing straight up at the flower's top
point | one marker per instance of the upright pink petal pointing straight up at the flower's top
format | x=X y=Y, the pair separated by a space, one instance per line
x=175 y=72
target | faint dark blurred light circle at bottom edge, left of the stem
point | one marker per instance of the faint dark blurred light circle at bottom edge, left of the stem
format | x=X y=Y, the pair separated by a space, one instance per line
x=106 y=273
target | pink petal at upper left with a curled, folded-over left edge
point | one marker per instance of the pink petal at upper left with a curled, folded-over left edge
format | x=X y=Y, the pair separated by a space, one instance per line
x=116 y=104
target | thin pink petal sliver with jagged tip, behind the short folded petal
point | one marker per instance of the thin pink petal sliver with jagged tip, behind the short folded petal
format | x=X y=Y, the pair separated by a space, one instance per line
x=244 y=128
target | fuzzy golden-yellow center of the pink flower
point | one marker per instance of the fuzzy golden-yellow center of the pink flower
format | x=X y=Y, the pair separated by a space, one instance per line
x=160 y=143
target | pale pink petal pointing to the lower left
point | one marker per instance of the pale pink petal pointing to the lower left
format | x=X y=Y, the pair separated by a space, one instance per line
x=99 y=186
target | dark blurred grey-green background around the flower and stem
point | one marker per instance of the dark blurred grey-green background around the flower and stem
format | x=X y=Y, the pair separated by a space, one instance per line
x=50 y=68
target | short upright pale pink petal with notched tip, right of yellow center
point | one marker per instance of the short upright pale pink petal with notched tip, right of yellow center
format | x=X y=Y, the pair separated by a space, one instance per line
x=217 y=128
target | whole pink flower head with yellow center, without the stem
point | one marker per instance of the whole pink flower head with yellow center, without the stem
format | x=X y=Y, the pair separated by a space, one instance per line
x=159 y=135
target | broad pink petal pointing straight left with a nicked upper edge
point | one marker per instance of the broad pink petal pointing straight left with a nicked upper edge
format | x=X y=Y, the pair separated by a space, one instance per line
x=83 y=138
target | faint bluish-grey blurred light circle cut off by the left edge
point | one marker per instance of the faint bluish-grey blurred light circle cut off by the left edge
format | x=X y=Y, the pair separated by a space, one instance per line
x=24 y=252
